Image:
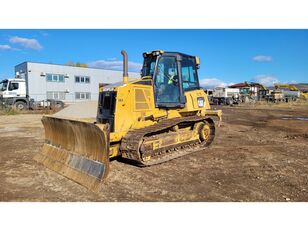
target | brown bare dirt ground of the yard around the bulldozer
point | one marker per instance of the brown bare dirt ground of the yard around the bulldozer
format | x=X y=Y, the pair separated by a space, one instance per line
x=260 y=153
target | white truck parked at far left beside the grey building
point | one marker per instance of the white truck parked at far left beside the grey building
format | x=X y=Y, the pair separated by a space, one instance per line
x=13 y=93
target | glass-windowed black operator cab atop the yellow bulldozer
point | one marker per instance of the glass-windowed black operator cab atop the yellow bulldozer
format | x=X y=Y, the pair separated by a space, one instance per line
x=173 y=74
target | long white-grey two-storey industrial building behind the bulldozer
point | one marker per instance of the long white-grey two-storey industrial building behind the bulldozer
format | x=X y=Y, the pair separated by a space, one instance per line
x=66 y=83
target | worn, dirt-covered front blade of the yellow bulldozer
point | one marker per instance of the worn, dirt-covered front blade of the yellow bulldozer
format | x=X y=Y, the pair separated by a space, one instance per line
x=77 y=150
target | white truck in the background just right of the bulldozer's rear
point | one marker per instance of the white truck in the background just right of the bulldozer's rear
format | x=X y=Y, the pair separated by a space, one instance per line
x=225 y=96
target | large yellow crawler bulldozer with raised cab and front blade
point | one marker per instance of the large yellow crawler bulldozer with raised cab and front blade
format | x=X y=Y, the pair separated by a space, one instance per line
x=161 y=116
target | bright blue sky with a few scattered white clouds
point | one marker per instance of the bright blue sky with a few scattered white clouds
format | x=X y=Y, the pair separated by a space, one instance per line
x=227 y=56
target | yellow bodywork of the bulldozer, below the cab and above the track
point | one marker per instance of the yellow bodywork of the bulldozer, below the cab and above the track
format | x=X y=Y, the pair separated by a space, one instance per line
x=135 y=105
